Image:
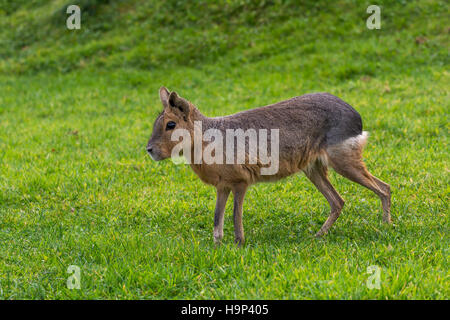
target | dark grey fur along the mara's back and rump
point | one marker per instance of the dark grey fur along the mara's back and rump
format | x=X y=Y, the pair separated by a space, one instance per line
x=321 y=118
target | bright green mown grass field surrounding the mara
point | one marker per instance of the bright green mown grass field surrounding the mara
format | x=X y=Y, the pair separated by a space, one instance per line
x=77 y=187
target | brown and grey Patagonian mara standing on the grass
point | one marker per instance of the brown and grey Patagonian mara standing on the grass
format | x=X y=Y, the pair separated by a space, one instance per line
x=315 y=131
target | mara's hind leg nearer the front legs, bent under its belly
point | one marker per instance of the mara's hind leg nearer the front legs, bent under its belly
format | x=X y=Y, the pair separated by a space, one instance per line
x=317 y=173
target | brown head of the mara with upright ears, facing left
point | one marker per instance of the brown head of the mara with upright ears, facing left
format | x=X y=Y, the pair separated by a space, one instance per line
x=178 y=113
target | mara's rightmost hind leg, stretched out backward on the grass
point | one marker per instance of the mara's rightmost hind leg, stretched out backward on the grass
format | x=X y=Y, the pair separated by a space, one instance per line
x=347 y=162
